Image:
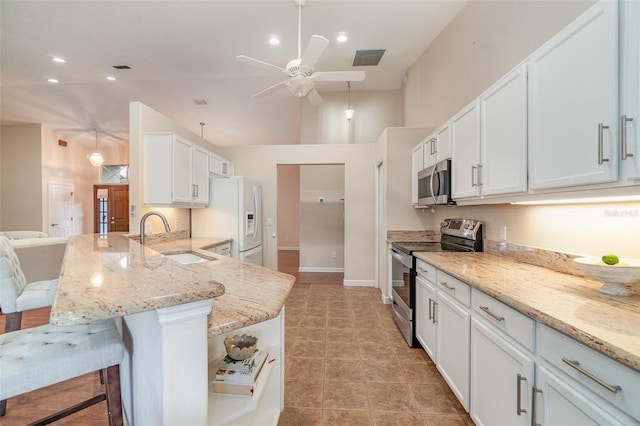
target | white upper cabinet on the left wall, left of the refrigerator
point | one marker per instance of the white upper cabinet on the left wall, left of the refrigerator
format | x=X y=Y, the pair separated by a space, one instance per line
x=176 y=172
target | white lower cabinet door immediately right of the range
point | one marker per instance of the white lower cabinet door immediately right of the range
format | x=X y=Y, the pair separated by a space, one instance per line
x=425 y=316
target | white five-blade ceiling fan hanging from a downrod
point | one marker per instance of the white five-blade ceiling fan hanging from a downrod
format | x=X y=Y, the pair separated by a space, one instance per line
x=301 y=77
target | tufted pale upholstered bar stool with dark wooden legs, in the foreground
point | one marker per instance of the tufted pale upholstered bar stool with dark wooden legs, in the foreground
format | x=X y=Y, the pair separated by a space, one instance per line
x=36 y=357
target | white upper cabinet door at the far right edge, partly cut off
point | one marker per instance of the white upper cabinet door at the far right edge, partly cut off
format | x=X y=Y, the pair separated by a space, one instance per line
x=630 y=91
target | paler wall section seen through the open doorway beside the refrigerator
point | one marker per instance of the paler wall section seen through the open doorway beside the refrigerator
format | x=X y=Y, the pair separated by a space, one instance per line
x=321 y=224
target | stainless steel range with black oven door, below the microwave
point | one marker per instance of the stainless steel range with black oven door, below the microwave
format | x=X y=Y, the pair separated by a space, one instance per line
x=457 y=235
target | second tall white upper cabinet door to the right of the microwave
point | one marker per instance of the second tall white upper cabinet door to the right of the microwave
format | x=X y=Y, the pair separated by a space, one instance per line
x=503 y=141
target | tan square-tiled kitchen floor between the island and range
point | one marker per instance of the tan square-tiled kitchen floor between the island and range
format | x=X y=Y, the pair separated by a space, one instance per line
x=347 y=363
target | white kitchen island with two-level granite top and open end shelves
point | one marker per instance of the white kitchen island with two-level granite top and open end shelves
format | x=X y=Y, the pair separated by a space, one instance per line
x=174 y=320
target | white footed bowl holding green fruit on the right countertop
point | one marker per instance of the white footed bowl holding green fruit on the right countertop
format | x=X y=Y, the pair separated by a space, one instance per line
x=614 y=277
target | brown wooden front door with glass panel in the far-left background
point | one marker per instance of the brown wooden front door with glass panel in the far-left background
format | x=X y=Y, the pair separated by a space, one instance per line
x=110 y=208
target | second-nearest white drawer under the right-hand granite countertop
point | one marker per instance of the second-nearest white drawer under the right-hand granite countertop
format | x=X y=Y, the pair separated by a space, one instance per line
x=516 y=325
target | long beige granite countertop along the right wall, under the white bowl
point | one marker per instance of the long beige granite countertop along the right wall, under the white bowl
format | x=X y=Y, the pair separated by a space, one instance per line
x=567 y=303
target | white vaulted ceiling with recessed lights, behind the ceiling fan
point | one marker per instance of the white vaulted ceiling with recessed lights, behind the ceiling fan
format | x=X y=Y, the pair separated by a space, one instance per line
x=180 y=52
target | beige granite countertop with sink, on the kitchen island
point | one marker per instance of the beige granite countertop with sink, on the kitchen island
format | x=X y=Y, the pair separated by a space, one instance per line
x=104 y=277
